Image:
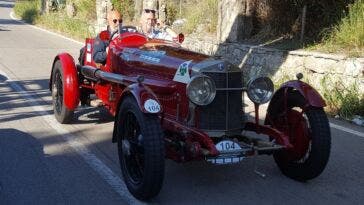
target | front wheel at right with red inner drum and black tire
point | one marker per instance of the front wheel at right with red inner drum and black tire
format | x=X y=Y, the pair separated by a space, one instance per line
x=309 y=133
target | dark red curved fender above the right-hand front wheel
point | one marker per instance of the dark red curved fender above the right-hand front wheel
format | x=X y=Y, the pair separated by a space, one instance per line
x=311 y=95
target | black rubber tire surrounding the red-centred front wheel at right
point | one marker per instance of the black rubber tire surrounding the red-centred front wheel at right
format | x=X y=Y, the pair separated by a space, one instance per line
x=317 y=155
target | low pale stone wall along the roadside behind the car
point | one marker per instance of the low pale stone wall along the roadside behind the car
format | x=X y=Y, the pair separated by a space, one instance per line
x=284 y=65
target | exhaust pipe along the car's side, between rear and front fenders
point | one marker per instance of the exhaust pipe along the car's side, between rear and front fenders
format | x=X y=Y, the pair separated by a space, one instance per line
x=96 y=74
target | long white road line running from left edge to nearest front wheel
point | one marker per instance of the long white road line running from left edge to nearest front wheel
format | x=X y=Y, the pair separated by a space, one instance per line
x=95 y=163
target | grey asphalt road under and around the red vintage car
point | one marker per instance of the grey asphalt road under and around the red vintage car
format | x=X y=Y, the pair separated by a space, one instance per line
x=43 y=162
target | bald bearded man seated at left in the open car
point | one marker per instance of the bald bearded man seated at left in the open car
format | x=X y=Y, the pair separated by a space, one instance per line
x=101 y=43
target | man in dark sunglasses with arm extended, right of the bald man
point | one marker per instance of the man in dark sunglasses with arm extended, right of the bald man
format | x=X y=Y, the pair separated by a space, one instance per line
x=148 y=23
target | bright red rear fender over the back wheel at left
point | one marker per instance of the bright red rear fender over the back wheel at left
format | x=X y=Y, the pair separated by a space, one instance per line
x=70 y=80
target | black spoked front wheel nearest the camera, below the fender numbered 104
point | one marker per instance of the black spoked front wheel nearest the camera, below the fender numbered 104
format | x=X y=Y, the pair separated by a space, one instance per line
x=141 y=150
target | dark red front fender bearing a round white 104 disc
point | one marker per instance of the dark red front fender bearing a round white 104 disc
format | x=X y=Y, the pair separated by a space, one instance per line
x=142 y=94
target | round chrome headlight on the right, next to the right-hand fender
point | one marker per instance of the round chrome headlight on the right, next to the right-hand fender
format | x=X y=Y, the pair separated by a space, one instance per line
x=265 y=98
